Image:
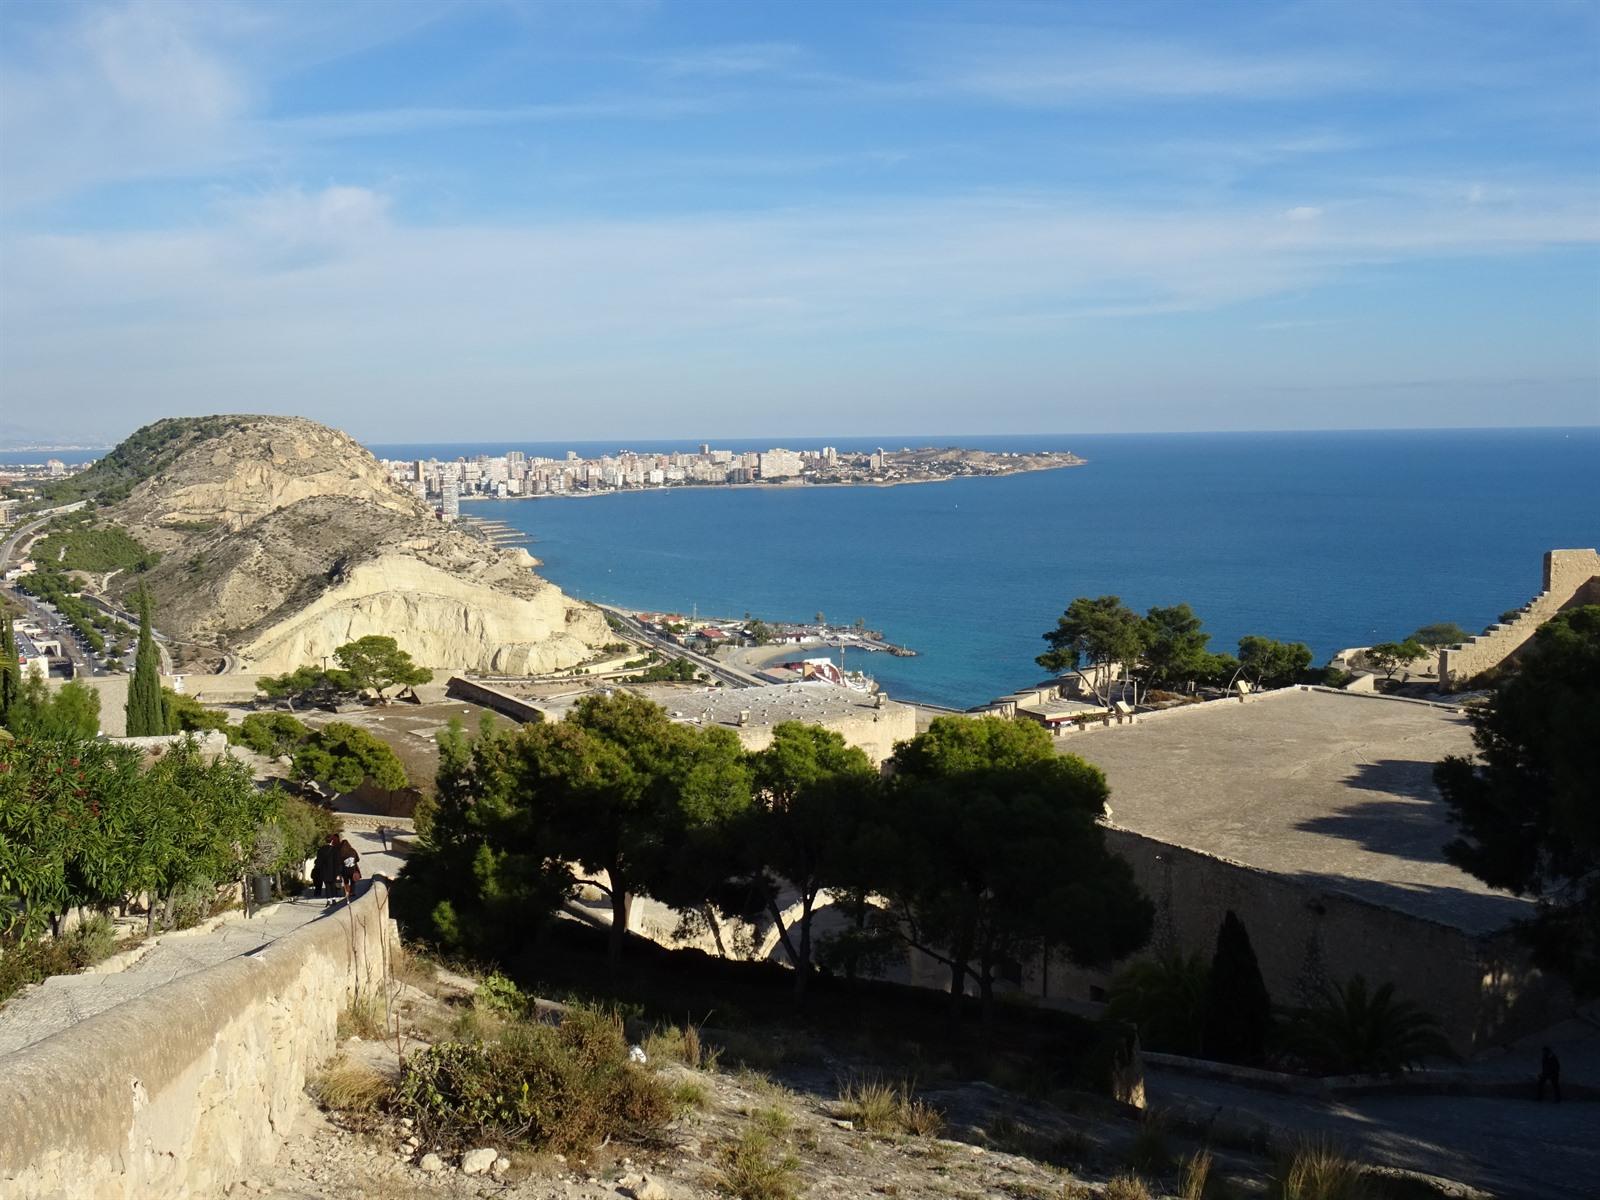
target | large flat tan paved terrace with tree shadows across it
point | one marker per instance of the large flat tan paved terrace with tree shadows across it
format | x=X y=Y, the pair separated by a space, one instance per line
x=1327 y=786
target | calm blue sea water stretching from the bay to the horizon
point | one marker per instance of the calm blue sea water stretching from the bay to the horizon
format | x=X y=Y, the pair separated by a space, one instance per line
x=1332 y=538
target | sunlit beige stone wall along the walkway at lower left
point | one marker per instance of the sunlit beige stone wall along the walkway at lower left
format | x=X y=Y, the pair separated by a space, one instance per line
x=191 y=1086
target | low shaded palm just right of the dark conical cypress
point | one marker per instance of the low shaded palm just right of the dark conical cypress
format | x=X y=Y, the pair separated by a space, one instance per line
x=1351 y=1031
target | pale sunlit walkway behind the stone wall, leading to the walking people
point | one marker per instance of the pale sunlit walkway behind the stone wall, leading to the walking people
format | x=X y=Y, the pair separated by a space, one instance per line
x=66 y=999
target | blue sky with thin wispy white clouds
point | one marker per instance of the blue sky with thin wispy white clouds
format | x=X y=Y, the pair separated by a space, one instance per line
x=514 y=220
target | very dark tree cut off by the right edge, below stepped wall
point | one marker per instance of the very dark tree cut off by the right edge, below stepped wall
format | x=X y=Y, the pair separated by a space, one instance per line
x=1529 y=801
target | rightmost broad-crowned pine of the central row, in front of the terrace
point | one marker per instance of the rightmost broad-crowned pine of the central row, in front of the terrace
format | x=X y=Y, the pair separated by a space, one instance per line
x=1002 y=857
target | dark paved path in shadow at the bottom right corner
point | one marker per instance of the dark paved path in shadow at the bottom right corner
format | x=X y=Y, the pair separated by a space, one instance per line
x=1510 y=1148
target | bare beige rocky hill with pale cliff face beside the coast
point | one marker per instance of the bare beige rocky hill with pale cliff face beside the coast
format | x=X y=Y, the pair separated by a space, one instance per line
x=282 y=538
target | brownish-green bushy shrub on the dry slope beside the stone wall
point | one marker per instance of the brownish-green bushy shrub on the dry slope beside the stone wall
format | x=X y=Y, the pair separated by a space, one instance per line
x=556 y=1087
